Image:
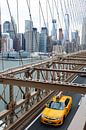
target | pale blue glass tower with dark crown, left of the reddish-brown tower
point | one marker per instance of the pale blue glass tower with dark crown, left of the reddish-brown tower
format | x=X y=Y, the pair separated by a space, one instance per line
x=54 y=30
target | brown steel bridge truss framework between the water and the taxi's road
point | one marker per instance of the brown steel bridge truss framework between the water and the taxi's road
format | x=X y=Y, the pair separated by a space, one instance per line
x=36 y=83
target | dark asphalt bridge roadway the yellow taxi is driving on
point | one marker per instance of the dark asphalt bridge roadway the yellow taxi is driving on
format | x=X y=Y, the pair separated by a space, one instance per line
x=36 y=125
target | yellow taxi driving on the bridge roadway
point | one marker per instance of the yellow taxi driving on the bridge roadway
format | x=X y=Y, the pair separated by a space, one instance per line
x=56 y=110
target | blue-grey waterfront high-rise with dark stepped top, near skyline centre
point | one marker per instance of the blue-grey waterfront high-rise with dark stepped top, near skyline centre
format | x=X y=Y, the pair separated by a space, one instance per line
x=43 y=40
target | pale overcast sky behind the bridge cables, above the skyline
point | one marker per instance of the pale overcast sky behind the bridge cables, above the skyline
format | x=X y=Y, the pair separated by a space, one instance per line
x=75 y=9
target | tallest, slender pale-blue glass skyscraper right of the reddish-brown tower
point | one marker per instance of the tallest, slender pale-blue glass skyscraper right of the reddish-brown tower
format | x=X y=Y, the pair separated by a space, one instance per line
x=66 y=31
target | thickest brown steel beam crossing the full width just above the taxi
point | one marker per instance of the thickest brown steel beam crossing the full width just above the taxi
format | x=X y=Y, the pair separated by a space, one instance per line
x=61 y=86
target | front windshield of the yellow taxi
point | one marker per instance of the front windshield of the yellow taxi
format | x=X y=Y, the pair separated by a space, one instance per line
x=56 y=105
